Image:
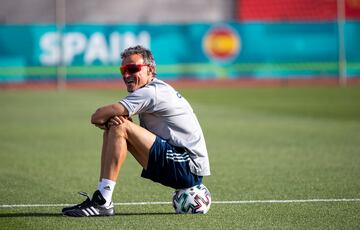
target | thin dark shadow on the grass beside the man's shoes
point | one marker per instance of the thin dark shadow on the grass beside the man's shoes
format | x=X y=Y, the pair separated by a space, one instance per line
x=43 y=214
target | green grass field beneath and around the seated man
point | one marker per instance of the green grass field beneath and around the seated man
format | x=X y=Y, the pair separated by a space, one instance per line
x=264 y=144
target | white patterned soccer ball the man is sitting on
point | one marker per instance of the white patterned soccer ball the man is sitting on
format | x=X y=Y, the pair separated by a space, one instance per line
x=196 y=199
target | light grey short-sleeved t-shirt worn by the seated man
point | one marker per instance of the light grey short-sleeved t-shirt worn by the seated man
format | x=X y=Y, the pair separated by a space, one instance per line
x=165 y=113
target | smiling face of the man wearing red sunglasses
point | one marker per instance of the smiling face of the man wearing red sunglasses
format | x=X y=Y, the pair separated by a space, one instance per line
x=135 y=80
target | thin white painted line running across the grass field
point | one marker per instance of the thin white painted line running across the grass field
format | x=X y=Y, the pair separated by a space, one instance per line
x=213 y=202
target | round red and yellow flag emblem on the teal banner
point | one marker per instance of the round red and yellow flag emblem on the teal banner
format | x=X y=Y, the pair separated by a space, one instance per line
x=221 y=43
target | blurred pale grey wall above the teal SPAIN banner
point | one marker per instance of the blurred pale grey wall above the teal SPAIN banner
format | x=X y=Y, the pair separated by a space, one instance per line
x=118 y=11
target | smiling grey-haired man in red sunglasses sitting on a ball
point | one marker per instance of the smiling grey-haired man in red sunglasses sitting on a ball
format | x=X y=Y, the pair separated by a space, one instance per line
x=168 y=144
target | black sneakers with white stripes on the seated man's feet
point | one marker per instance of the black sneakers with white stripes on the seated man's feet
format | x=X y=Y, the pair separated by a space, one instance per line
x=90 y=207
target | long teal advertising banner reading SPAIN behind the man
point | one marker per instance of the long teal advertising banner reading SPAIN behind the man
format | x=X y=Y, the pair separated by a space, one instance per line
x=198 y=50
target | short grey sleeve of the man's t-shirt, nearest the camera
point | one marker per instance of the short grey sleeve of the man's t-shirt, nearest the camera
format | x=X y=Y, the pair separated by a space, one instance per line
x=139 y=101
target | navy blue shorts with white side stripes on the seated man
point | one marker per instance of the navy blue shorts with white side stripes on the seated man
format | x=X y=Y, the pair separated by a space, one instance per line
x=169 y=166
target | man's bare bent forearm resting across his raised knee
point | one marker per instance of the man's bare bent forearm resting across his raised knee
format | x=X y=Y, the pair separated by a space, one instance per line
x=103 y=114
